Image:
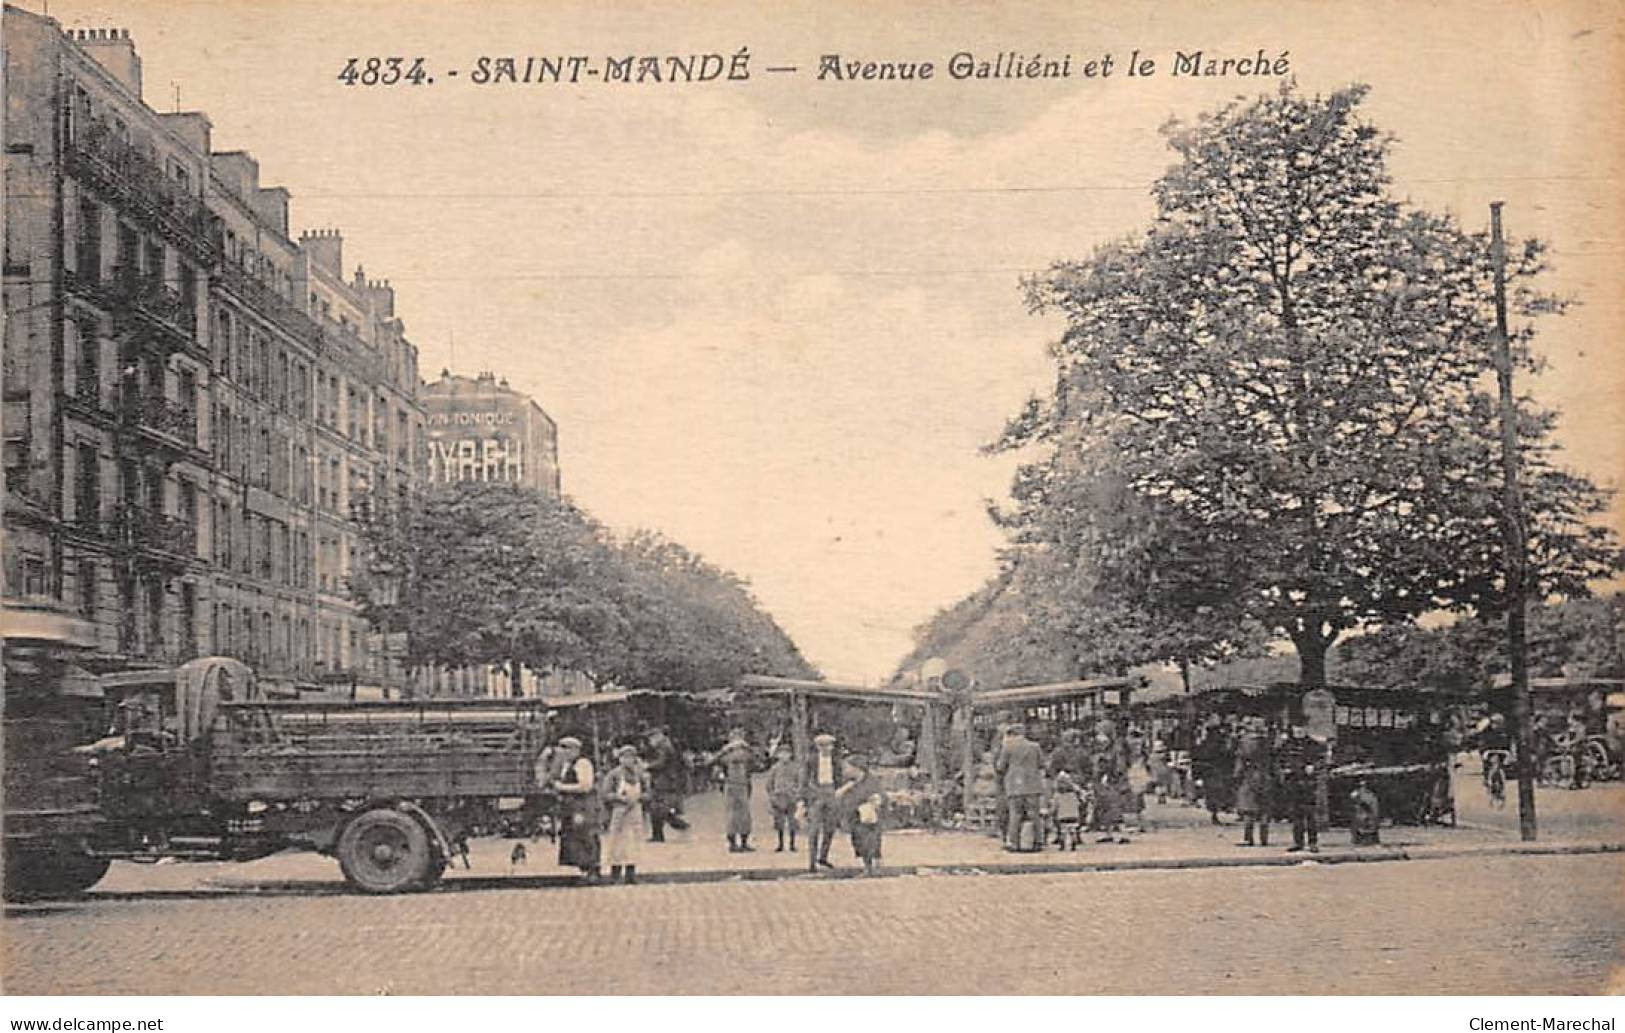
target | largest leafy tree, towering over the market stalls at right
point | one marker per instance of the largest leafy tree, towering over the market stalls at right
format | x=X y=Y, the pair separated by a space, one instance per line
x=1285 y=389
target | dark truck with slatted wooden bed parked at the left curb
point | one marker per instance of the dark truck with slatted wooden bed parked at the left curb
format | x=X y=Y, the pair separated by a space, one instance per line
x=196 y=764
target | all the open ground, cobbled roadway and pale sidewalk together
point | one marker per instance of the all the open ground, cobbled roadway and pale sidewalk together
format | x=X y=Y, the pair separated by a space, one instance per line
x=1465 y=917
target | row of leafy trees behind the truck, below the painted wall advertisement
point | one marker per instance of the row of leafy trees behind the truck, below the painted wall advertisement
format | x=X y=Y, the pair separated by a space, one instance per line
x=503 y=574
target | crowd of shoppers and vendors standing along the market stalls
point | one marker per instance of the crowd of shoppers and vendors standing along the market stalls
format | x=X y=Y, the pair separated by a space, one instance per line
x=1034 y=787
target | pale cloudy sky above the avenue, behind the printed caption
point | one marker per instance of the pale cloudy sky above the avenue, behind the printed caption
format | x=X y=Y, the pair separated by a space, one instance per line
x=779 y=319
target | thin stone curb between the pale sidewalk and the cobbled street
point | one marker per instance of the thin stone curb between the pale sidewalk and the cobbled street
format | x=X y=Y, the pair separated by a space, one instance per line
x=310 y=888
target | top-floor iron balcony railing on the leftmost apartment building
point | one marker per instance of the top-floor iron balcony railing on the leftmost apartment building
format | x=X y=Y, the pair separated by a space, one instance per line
x=129 y=175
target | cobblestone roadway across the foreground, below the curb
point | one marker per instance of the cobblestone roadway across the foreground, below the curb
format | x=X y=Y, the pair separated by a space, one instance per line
x=1468 y=927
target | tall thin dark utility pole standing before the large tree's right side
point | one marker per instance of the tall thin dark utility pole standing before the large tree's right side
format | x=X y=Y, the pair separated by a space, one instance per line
x=1515 y=535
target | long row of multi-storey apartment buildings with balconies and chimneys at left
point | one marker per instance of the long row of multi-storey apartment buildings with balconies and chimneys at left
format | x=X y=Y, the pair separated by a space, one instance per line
x=196 y=404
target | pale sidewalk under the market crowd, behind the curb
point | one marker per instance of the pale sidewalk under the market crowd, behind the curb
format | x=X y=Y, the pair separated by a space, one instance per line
x=1177 y=837
